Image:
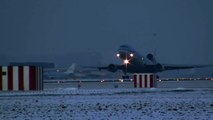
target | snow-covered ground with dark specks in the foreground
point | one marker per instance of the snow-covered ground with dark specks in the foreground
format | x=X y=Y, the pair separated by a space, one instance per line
x=101 y=104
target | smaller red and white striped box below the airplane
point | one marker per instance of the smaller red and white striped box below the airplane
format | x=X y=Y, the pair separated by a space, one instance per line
x=144 y=80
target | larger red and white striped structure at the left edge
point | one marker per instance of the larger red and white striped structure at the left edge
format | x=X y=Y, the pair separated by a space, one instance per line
x=13 y=78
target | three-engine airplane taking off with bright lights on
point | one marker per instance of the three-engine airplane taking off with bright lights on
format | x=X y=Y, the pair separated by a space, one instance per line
x=134 y=62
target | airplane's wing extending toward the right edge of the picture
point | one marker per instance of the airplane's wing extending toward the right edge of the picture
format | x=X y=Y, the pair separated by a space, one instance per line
x=175 y=67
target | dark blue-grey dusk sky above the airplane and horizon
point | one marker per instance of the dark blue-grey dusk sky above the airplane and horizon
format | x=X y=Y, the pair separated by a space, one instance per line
x=180 y=31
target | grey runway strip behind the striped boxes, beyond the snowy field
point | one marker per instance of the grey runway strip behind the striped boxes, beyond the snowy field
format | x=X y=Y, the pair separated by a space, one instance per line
x=111 y=84
